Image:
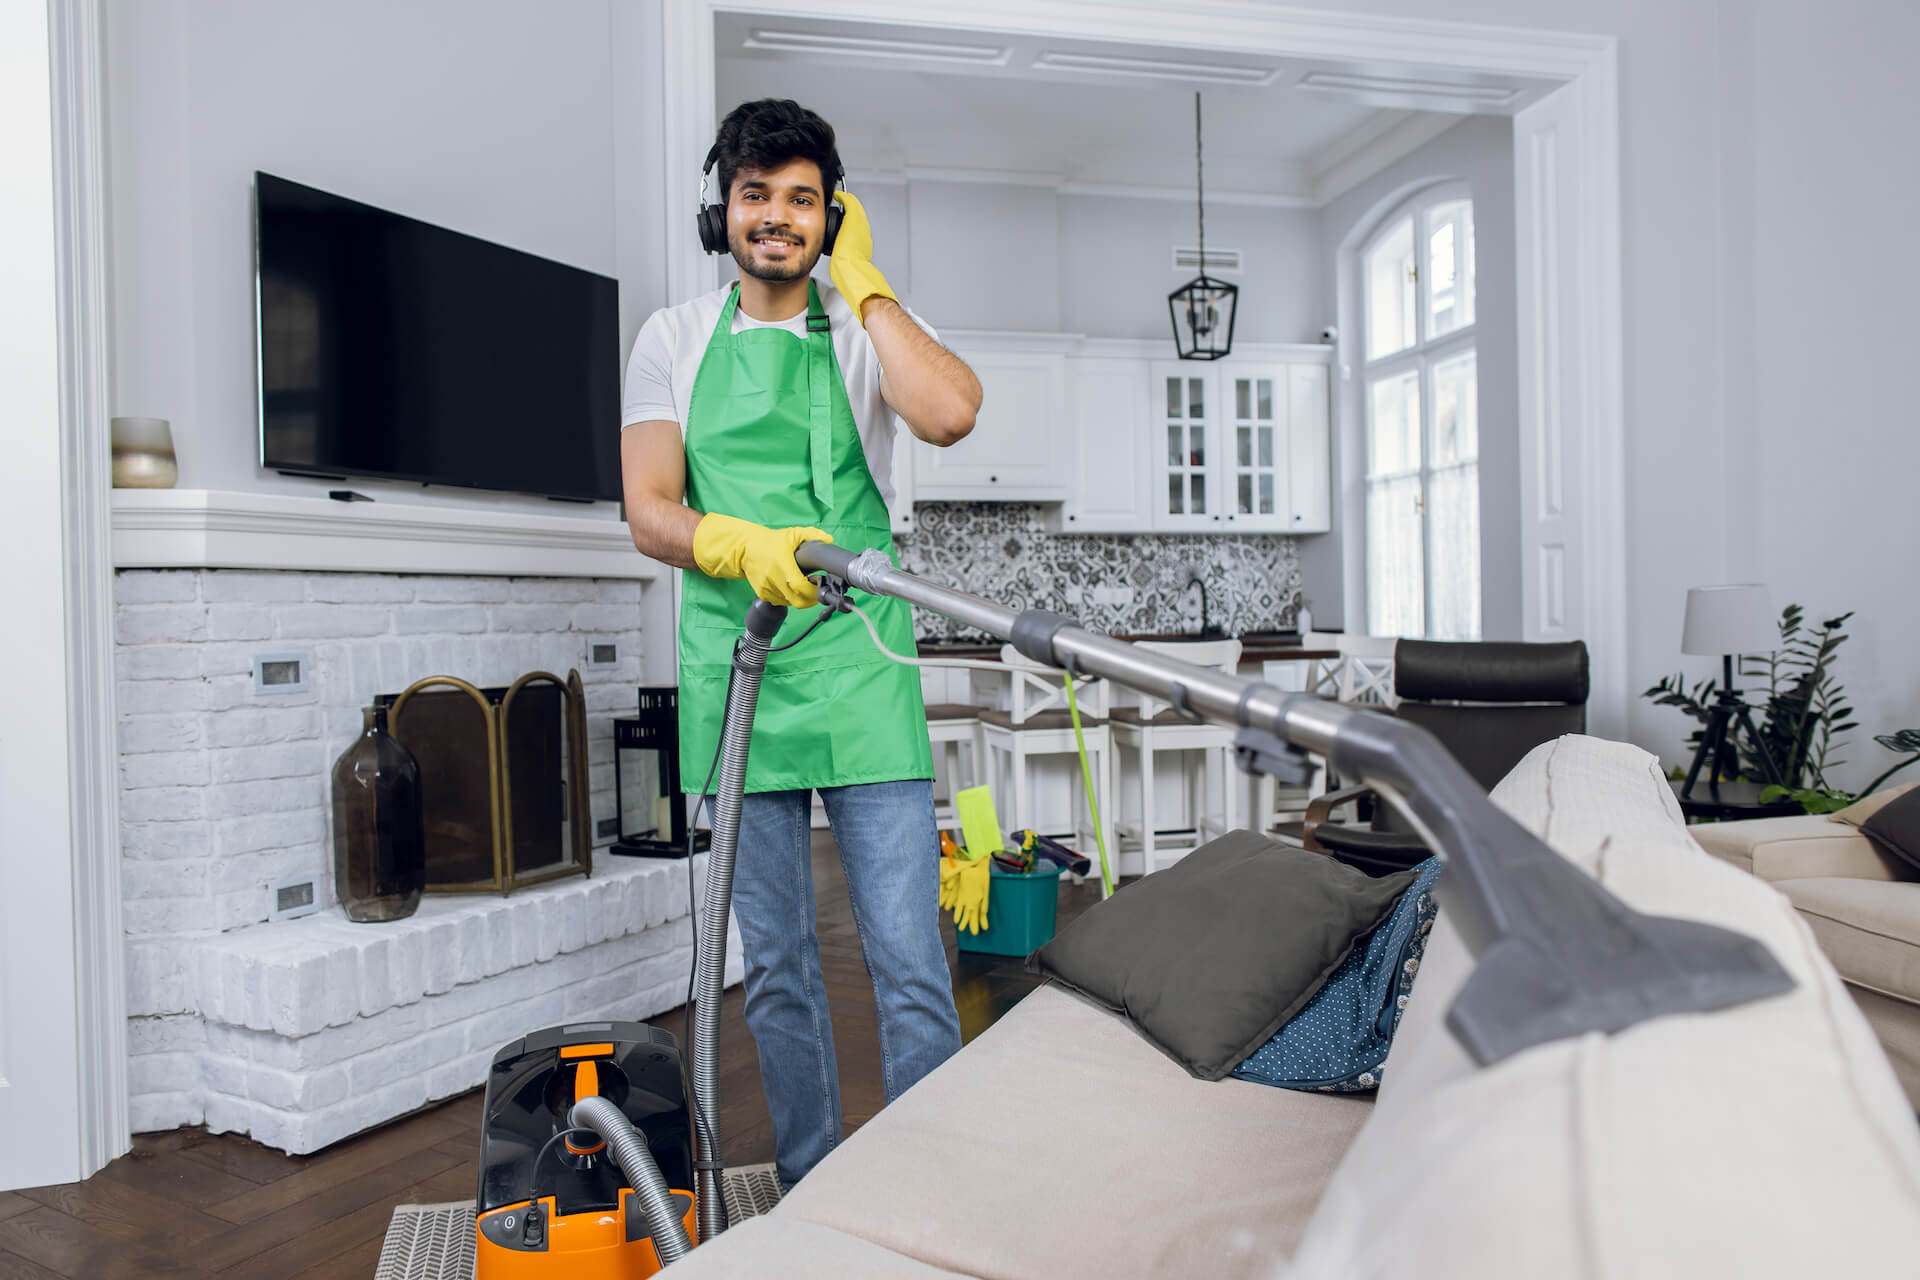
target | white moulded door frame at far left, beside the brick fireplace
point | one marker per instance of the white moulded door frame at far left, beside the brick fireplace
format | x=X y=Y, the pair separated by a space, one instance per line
x=60 y=830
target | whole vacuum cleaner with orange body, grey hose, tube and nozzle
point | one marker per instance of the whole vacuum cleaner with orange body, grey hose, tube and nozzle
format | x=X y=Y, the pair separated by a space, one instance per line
x=602 y=1145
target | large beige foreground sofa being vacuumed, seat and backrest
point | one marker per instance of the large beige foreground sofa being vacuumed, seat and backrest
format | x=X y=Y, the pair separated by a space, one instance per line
x=1764 y=1141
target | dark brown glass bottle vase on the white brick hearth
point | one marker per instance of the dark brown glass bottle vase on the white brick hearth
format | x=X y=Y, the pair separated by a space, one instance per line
x=379 y=845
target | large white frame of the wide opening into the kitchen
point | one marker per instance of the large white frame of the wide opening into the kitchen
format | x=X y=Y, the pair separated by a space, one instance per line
x=1572 y=406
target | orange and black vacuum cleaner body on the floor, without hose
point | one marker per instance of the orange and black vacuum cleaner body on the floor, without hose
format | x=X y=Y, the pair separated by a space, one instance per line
x=554 y=1204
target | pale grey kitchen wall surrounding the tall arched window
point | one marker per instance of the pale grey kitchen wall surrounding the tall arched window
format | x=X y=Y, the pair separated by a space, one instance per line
x=1477 y=153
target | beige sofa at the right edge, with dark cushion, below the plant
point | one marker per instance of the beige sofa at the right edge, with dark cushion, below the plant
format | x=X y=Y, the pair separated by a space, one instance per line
x=1863 y=907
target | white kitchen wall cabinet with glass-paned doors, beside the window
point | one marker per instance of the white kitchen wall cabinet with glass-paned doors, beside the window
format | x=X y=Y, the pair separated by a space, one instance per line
x=1239 y=448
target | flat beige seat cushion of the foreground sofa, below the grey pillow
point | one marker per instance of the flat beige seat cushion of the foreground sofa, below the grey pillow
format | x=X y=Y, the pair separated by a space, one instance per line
x=1063 y=1147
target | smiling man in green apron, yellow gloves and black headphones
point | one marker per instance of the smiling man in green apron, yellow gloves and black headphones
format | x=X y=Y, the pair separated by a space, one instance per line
x=759 y=417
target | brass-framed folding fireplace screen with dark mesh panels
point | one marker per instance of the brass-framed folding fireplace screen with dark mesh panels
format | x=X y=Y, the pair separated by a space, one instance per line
x=504 y=780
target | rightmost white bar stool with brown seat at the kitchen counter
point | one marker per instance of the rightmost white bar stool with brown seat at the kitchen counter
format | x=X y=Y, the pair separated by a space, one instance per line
x=1155 y=728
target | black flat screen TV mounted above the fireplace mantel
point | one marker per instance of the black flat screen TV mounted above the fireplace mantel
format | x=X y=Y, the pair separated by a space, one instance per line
x=400 y=350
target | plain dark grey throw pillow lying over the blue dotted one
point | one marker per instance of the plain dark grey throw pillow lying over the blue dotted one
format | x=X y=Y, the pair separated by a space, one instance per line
x=1214 y=955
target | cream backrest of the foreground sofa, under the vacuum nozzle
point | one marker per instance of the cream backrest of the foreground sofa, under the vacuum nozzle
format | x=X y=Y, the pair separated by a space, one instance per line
x=1760 y=1141
